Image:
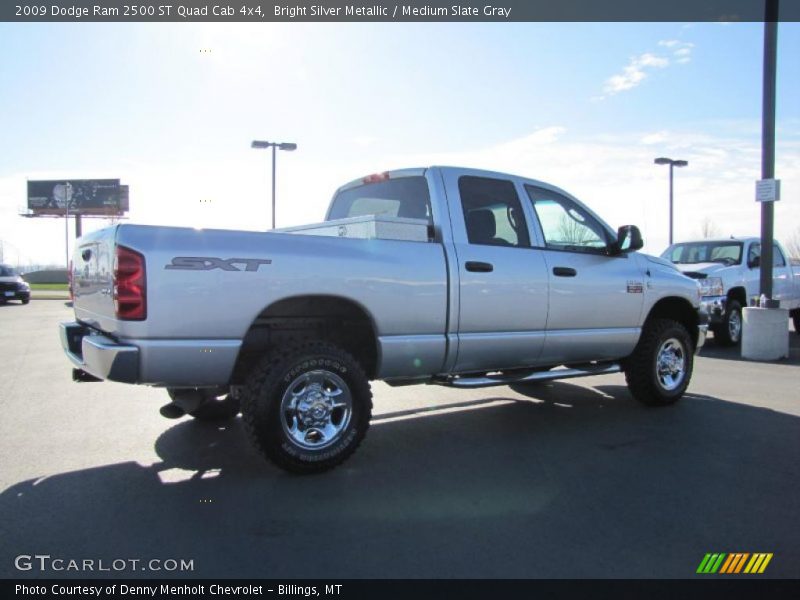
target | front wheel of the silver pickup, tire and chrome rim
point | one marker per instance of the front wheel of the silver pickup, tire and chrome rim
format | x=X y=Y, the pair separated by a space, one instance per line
x=660 y=367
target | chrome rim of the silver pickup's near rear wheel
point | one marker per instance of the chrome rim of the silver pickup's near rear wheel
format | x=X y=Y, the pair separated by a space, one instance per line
x=316 y=408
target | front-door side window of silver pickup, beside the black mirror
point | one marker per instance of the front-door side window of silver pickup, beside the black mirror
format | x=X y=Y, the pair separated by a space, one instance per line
x=565 y=224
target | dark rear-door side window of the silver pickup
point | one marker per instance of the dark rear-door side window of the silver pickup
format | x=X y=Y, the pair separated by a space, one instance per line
x=492 y=212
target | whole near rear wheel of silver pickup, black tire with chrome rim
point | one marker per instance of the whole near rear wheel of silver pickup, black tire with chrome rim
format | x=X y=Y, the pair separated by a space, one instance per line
x=308 y=409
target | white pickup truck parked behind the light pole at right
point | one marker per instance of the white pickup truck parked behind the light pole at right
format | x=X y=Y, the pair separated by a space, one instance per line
x=729 y=273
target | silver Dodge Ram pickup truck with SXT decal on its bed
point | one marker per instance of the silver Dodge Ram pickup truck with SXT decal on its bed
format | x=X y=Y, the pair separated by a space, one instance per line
x=440 y=275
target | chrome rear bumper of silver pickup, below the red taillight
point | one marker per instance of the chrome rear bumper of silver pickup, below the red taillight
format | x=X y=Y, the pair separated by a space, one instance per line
x=99 y=355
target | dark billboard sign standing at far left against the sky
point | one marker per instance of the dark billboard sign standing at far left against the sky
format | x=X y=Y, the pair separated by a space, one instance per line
x=82 y=196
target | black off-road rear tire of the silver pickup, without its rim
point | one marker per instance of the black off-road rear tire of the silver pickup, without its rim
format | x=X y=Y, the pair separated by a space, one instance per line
x=267 y=386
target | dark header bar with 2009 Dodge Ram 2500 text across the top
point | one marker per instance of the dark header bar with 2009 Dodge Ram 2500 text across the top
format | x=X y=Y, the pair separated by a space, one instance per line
x=334 y=11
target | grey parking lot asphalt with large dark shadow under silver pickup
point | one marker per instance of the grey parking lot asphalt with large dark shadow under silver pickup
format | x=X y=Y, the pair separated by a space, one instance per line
x=566 y=480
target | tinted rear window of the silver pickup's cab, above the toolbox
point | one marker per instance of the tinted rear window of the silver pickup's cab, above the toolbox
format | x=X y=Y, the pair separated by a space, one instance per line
x=402 y=197
